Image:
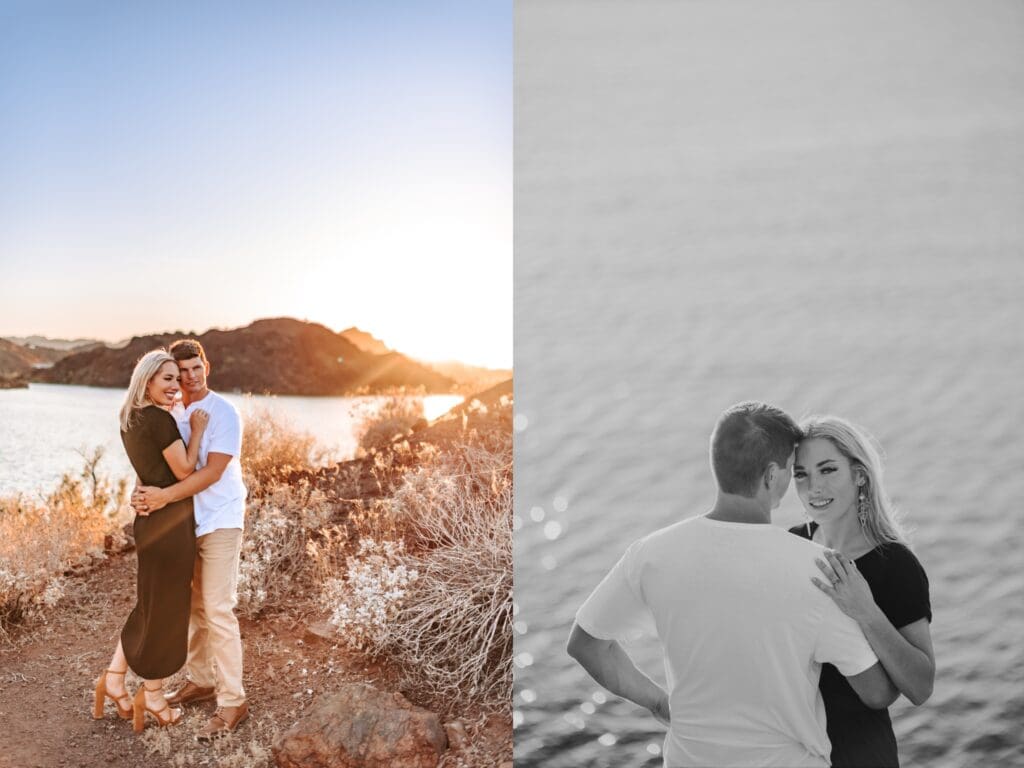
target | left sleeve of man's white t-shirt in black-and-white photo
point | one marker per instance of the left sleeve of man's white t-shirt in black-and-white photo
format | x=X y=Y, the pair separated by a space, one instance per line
x=615 y=610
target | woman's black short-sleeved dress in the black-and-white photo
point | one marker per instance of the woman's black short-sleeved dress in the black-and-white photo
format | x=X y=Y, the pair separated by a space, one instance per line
x=863 y=738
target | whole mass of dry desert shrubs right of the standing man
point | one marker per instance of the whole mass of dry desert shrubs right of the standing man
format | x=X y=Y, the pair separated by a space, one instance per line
x=417 y=573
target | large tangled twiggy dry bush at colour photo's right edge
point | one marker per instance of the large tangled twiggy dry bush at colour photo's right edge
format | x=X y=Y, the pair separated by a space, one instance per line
x=451 y=627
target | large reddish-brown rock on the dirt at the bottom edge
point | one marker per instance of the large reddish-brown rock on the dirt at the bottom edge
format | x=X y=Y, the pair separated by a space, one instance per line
x=362 y=728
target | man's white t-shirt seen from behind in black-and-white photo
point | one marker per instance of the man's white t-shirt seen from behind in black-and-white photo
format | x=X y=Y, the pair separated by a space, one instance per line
x=744 y=634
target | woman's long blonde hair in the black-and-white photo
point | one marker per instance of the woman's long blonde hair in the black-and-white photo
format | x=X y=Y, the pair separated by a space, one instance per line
x=882 y=523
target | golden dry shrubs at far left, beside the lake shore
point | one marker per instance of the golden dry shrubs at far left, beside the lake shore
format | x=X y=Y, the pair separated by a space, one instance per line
x=40 y=541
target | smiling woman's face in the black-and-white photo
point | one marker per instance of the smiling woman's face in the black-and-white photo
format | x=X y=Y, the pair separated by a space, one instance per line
x=826 y=482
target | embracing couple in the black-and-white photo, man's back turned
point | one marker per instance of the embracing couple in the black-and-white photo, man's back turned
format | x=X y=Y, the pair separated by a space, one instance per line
x=782 y=649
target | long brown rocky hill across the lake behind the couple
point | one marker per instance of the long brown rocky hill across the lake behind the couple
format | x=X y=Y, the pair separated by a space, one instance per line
x=276 y=357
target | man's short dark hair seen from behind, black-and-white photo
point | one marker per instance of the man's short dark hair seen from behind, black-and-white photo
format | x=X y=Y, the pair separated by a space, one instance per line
x=748 y=438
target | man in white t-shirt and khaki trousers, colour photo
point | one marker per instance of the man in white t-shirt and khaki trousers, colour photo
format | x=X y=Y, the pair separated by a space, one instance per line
x=215 y=664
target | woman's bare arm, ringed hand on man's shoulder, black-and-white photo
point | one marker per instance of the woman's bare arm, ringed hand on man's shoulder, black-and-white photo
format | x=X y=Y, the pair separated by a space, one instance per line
x=907 y=654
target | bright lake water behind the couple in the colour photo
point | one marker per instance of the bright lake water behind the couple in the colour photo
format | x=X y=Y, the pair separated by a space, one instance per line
x=45 y=426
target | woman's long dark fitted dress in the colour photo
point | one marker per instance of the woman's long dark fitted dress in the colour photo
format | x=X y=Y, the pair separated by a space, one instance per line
x=156 y=636
